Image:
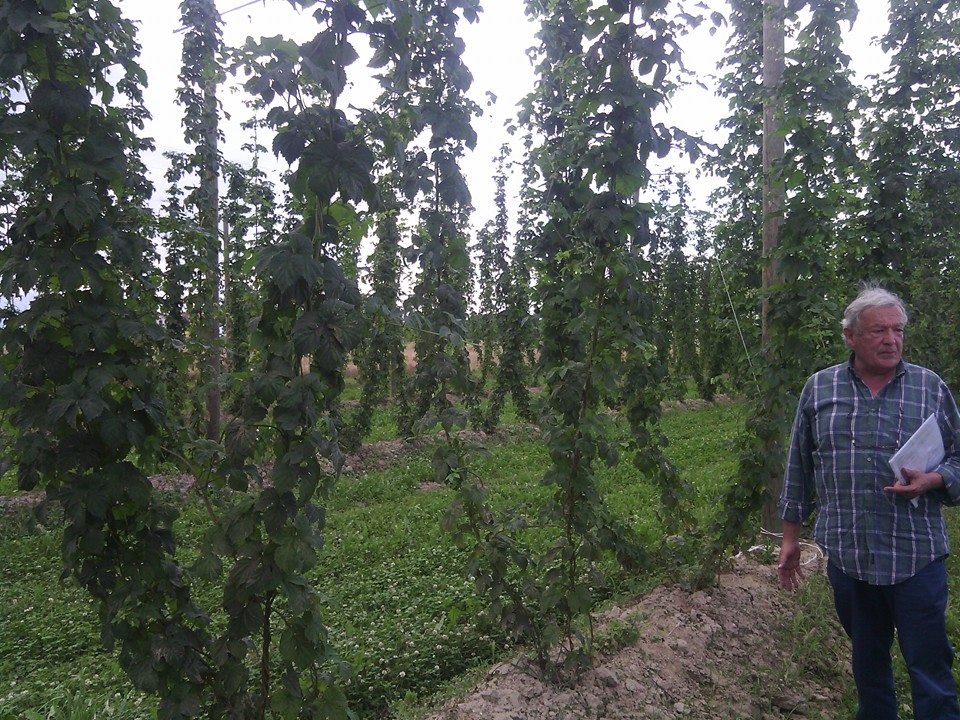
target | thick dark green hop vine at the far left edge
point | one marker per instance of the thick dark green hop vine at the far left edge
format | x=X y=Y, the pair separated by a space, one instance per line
x=79 y=382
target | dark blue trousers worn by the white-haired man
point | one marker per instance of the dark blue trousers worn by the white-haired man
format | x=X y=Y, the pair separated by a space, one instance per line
x=915 y=607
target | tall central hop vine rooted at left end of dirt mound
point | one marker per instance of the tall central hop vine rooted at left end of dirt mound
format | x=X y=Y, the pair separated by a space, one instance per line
x=594 y=117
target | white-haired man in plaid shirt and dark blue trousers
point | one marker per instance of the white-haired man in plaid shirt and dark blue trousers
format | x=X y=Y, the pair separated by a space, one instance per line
x=886 y=555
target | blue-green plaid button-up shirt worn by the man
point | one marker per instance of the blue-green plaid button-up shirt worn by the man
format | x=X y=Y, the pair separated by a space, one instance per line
x=838 y=460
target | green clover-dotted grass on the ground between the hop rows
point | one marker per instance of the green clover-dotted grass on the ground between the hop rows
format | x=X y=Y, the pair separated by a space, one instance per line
x=399 y=609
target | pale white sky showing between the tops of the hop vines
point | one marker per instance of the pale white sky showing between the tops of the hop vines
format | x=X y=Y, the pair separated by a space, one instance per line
x=495 y=53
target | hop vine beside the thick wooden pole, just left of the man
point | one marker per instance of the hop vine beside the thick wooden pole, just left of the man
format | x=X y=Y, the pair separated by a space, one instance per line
x=816 y=96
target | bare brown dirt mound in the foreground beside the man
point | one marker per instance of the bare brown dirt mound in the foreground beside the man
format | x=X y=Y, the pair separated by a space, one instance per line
x=688 y=655
